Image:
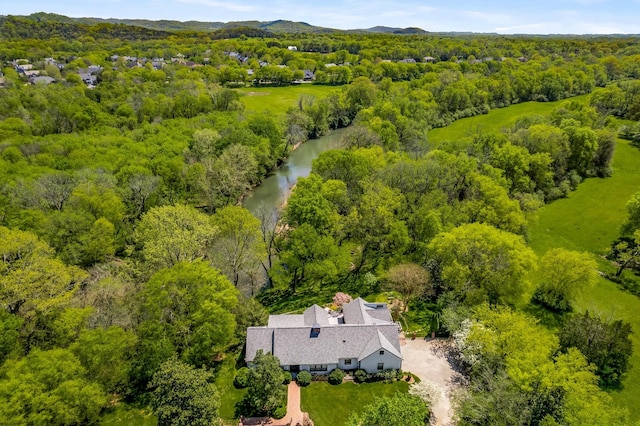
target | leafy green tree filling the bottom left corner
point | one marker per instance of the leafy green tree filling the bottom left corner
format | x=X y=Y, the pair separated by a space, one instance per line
x=48 y=387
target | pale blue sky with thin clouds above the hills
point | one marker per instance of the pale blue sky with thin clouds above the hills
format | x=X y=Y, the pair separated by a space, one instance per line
x=501 y=16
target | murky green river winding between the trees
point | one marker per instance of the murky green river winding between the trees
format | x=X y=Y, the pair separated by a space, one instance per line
x=275 y=189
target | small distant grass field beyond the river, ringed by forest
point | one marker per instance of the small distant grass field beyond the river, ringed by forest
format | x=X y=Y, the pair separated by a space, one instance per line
x=278 y=100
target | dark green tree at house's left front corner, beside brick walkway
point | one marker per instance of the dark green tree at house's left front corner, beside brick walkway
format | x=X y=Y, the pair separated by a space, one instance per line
x=265 y=392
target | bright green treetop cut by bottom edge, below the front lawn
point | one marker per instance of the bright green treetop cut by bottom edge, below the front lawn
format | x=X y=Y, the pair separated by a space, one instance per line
x=398 y=410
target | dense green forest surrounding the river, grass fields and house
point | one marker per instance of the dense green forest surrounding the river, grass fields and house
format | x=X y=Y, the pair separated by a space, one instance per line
x=125 y=153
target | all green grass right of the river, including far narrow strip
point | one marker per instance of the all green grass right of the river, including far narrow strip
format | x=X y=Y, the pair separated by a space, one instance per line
x=588 y=220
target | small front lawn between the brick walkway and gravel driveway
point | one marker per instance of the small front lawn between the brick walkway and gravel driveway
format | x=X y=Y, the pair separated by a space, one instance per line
x=331 y=405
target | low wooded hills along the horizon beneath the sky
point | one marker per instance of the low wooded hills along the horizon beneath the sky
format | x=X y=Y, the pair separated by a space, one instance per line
x=278 y=26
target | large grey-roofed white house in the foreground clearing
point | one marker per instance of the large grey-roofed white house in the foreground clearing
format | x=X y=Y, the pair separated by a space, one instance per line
x=363 y=336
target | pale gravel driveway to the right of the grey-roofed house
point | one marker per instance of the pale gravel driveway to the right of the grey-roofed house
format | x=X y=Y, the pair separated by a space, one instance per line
x=426 y=359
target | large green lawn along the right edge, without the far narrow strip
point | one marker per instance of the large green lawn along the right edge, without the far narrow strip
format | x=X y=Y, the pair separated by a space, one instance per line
x=588 y=221
